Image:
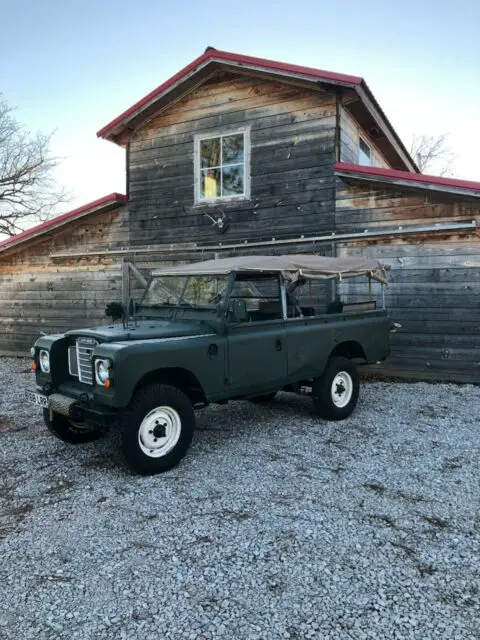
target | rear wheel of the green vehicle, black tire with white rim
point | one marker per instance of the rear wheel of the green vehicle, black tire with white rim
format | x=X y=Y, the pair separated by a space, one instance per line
x=335 y=392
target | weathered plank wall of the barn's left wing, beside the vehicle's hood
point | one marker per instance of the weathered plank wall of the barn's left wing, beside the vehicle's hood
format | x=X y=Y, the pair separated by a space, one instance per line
x=44 y=294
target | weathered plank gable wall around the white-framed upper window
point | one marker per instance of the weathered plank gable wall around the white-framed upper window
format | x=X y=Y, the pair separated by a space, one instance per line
x=292 y=156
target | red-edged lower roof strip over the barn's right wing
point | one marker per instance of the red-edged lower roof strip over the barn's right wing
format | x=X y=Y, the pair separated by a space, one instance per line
x=409 y=179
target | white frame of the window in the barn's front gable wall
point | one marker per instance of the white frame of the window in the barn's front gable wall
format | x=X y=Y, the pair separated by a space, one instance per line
x=222 y=133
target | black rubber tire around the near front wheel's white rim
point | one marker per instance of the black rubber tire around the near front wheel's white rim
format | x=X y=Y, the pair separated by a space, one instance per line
x=145 y=402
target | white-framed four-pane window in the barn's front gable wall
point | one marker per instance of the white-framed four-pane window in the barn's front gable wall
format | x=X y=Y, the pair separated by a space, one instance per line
x=221 y=166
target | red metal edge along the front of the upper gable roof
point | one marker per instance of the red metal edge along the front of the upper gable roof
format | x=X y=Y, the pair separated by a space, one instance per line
x=227 y=56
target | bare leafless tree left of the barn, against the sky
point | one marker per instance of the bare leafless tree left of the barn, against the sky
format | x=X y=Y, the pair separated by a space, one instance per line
x=28 y=192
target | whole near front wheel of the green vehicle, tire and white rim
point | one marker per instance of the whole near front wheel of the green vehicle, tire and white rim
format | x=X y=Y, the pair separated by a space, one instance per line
x=157 y=429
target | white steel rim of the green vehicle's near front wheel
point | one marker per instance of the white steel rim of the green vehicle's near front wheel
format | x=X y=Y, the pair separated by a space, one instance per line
x=159 y=432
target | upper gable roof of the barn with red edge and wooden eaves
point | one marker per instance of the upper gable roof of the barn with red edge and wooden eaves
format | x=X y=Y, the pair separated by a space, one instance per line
x=202 y=67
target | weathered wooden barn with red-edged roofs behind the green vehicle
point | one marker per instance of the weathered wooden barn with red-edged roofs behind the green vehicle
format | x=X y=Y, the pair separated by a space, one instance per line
x=241 y=155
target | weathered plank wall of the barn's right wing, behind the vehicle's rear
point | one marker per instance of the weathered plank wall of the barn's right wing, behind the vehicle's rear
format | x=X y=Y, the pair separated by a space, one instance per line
x=434 y=289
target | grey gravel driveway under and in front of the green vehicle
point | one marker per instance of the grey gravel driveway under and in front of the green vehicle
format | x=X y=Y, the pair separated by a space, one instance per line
x=276 y=525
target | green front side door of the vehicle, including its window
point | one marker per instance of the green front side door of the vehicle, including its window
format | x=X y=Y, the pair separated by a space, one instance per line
x=256 y=349
